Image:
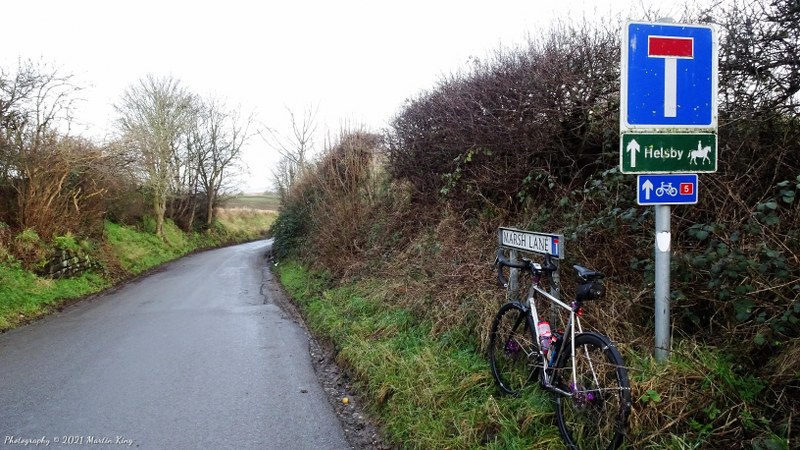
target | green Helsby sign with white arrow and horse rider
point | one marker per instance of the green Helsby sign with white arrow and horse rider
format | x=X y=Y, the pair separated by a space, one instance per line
x=668 y=153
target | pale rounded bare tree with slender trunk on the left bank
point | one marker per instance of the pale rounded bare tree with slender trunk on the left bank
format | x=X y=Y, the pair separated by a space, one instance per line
x=154 y=116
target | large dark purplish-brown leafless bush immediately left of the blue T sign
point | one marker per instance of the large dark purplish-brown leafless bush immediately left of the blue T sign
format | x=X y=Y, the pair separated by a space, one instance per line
x=516 y=126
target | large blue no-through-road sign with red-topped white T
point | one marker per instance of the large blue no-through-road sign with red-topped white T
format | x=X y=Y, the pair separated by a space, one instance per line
x=669 y=77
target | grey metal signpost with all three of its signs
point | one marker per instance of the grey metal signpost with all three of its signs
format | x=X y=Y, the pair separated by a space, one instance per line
x=668 y=124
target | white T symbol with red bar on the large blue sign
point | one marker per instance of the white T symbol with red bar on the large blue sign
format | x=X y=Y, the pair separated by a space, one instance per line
x=672 y=49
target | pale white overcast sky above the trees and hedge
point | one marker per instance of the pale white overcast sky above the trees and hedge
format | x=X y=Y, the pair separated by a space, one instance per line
x=356 y=61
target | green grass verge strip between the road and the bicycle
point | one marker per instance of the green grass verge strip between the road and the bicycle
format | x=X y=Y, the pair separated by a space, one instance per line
x=430 y=393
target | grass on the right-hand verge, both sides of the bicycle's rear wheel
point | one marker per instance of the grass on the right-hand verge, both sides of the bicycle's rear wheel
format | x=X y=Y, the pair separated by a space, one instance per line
x=434 y=390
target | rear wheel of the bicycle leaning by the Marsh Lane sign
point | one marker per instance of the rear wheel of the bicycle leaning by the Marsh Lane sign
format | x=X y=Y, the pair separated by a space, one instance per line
x=595 y=417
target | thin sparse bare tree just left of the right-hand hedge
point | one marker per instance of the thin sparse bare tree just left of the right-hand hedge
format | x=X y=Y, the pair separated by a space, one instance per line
x=294 y=150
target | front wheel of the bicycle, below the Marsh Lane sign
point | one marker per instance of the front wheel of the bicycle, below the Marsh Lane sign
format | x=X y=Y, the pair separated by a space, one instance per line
x=512 y=348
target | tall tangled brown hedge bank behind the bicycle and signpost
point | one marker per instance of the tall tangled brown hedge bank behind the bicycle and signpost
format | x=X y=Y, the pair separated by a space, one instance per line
x=529 y=139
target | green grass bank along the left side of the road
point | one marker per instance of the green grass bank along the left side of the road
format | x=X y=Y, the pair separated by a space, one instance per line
x=25 y=296
